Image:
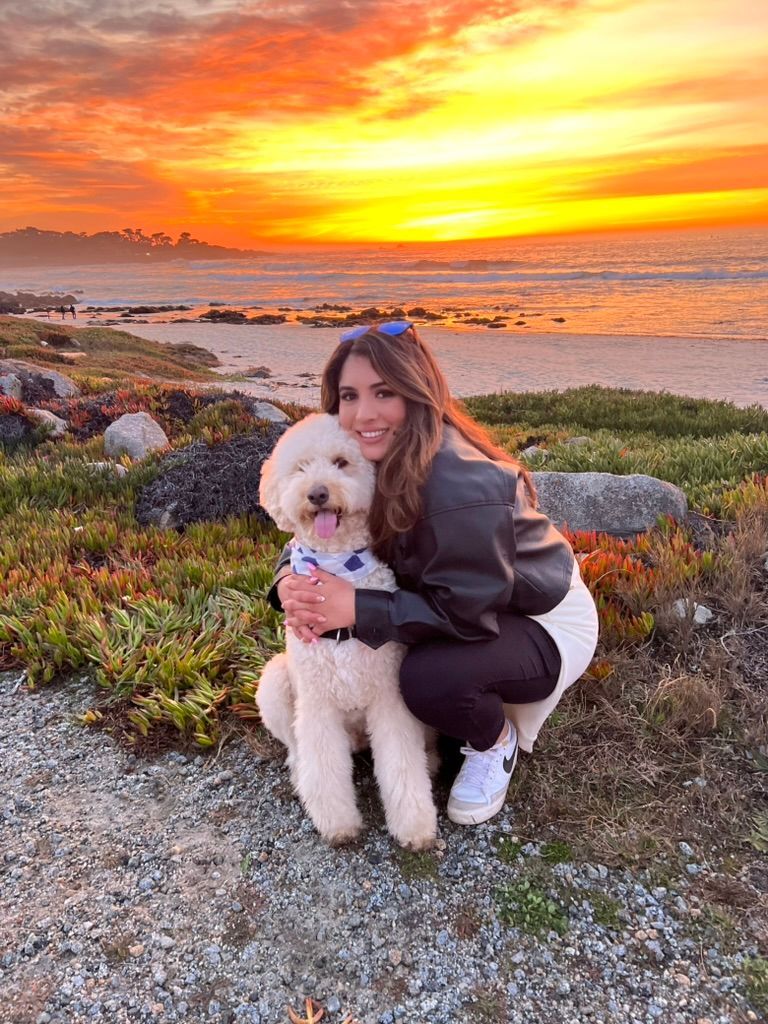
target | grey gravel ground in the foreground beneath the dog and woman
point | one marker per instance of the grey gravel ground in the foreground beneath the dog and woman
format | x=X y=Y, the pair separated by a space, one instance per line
x=194 y=889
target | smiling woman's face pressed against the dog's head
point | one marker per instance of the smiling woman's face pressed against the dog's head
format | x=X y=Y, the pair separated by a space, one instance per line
x=369 y=410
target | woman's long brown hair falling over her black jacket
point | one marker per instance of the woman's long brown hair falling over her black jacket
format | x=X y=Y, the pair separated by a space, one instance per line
x=407 y=366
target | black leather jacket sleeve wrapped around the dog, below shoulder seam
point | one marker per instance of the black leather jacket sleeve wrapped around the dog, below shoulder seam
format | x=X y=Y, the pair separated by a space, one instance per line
x=466 y=559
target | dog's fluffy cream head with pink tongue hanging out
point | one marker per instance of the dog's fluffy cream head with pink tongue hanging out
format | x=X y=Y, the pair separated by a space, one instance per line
x=319 y=485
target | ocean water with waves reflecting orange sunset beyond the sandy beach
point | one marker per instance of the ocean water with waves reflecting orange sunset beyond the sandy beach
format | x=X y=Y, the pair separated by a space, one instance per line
x=708 y=284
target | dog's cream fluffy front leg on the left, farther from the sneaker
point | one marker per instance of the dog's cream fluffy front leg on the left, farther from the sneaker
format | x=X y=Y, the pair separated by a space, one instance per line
x=325 y=771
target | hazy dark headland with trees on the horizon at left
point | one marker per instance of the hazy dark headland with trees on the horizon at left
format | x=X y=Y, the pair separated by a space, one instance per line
x=27 y=246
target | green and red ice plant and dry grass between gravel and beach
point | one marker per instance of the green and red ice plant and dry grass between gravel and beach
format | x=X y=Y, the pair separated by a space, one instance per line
x=666 y=738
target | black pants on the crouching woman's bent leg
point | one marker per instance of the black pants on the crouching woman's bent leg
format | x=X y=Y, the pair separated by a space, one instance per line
x=459 y=689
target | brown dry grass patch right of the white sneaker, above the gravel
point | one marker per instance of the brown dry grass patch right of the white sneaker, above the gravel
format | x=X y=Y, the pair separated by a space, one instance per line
x=657 y=752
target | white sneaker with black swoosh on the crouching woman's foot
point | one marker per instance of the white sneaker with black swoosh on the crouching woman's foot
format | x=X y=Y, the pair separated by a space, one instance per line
x=481 y=787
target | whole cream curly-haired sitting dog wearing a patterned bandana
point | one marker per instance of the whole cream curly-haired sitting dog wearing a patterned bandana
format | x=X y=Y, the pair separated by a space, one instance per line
x=319 y=699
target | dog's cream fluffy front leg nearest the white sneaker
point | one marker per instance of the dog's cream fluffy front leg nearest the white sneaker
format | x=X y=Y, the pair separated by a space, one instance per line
x=398 y=743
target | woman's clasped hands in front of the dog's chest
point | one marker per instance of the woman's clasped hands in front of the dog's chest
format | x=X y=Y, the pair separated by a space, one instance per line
x=316 y=605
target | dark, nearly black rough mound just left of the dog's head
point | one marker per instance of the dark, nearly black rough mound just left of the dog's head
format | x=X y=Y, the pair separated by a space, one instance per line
x=209 y=484
